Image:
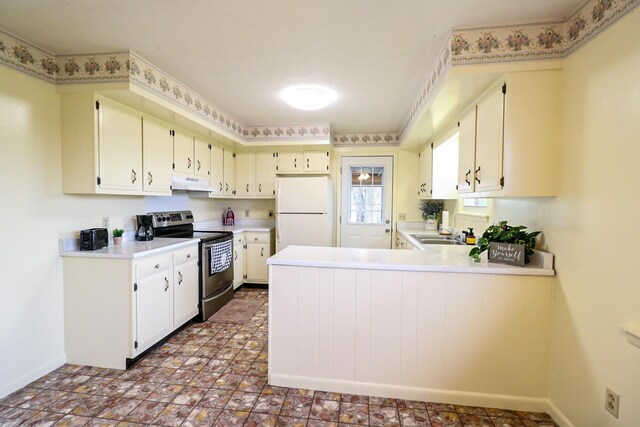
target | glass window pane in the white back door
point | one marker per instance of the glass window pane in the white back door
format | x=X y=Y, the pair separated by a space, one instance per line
x=366 y=195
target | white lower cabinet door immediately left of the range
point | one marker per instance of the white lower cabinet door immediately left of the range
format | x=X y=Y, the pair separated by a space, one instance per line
x=185 y=292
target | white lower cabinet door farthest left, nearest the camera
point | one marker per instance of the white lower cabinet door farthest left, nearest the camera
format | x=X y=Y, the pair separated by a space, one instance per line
x=154 y=309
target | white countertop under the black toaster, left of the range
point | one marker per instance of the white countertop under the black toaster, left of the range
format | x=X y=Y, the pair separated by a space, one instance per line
x=128 y=249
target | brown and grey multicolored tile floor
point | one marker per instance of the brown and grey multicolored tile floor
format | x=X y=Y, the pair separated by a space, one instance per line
x=215 y=374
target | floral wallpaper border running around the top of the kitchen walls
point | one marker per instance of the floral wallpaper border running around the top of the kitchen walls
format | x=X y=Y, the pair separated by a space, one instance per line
x=464 y=46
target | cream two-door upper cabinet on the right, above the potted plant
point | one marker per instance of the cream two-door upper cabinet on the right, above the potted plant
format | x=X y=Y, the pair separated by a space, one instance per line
x=511 y=149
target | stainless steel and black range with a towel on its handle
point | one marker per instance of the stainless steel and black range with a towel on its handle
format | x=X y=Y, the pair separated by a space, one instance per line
x=215 y=259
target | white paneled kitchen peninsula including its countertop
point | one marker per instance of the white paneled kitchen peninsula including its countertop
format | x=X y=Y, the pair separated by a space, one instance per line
x=422 y=325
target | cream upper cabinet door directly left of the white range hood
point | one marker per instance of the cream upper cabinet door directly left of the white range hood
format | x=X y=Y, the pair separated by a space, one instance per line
x=157 y=156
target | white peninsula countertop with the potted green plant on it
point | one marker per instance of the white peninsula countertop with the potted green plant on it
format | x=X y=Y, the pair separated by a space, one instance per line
x=440 y=258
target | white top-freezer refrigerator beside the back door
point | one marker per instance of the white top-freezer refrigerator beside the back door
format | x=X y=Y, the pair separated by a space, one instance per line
x=304 y=211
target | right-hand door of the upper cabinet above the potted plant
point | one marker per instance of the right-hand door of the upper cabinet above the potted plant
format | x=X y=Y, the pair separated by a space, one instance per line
x=489 y=142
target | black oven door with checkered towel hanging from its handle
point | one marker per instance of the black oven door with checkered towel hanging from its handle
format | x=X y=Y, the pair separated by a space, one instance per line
x=217 y=265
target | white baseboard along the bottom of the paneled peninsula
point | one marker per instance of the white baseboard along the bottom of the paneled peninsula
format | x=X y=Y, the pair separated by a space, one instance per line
x=519 y=403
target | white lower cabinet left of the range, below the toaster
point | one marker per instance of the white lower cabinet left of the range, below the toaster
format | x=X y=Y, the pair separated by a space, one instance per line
x=117 y=308
